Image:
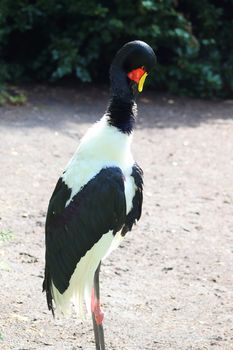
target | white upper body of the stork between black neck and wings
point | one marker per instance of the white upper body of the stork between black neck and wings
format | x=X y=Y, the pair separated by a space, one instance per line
x=102 y=146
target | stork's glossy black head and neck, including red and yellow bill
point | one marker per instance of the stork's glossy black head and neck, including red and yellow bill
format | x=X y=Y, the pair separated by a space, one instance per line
x=132 y=63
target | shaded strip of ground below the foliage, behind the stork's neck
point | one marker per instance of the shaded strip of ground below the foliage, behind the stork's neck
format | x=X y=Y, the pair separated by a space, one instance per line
x=52 y=107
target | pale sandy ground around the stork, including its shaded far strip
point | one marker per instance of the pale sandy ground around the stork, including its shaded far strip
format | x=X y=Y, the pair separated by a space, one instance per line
x=170 y=285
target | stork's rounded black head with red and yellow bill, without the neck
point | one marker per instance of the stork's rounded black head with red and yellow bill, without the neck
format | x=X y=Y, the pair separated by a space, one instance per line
x=131 y=65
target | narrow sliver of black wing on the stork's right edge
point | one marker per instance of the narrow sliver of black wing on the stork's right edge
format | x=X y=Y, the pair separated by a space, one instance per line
x=135 y=212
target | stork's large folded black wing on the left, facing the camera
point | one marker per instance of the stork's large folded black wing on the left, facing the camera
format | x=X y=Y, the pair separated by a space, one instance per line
x=71 y=231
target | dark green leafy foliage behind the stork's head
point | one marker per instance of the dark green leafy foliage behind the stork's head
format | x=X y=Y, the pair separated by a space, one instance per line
x=50 y=40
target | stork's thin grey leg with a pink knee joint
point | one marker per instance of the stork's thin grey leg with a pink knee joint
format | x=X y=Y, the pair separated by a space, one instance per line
x=97 y=314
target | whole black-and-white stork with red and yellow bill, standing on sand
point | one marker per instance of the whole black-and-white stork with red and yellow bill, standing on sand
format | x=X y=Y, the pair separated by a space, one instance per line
x=98 y=198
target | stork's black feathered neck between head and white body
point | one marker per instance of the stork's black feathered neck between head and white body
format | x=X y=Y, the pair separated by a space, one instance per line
x=122 y=109
